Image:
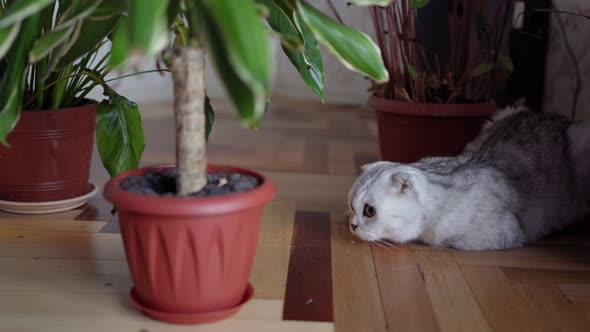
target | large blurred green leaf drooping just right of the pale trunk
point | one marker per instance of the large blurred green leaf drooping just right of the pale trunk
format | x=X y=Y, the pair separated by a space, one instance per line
x=245 y=40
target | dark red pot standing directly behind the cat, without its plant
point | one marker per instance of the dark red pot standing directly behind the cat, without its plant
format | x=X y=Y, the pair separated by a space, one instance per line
x=411 y=131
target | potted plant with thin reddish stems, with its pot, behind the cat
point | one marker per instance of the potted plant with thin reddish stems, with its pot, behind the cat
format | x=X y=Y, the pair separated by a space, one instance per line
x=429 y=108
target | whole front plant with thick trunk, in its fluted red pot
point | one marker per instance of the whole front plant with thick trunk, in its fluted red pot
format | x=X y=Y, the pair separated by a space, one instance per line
x=190 y=230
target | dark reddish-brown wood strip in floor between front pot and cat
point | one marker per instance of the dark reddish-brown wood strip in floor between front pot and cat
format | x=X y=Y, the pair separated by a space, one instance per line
x=308 y=295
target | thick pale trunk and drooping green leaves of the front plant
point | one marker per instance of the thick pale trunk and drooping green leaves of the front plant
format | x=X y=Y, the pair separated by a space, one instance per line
x=233 y=33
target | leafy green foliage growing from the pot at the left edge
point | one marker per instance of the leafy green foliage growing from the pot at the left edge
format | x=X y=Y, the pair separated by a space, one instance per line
x=50 y=59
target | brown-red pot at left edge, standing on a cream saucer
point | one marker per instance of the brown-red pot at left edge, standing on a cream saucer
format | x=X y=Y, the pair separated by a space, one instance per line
x=50 y=154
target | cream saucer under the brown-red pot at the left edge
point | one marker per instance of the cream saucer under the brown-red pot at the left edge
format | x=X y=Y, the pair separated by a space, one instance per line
x=48 y=207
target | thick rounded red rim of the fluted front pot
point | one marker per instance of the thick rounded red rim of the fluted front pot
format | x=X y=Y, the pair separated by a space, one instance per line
x=189 y=206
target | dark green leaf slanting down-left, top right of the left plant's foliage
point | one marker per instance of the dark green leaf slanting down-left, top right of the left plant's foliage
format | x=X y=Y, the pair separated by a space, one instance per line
x=95 y=28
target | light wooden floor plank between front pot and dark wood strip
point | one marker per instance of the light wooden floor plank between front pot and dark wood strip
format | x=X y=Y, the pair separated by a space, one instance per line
x=269 y=273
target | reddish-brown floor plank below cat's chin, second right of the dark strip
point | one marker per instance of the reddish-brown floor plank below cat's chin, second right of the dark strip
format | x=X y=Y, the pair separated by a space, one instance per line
x=403 y=291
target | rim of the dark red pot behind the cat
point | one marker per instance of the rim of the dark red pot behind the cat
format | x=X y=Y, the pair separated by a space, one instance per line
x=432 y=109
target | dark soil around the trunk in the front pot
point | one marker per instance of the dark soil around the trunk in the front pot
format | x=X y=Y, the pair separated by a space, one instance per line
x=163 y=183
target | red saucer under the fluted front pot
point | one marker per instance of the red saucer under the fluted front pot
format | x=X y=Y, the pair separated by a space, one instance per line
x=192 y=318
